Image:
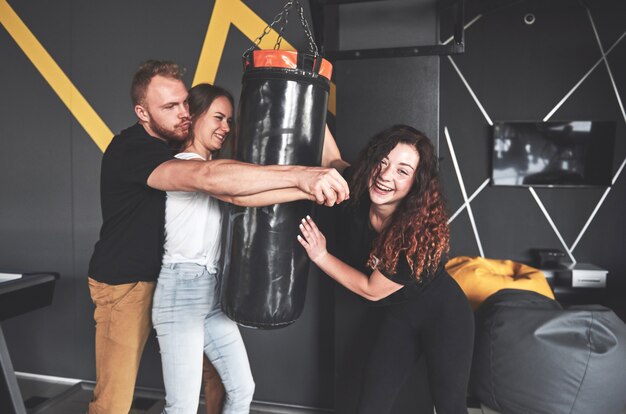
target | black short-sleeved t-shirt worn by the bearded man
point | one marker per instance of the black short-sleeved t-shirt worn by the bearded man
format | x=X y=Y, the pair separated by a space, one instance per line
x=130 y=248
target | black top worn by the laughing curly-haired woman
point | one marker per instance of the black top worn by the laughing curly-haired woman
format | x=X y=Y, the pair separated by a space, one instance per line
x=356 y=238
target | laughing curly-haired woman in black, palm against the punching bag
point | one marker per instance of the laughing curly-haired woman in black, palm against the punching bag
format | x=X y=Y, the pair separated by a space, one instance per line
x=397 y=237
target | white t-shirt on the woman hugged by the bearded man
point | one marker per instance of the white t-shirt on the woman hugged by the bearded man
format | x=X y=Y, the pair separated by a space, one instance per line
x=193 y=223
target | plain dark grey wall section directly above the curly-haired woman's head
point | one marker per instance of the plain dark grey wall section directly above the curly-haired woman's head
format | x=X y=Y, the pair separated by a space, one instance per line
x=374 y=94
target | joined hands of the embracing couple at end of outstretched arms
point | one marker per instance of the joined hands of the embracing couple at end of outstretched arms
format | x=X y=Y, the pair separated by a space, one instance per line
x=325 y=184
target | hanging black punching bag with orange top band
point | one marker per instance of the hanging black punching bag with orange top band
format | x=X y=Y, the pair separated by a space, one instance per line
x=281 y=120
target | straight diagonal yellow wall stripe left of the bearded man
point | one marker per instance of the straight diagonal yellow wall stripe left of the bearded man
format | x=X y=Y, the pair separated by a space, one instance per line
x=54 y=75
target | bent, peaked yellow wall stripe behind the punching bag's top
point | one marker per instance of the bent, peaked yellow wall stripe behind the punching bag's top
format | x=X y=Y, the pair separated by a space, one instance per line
x=225 y=13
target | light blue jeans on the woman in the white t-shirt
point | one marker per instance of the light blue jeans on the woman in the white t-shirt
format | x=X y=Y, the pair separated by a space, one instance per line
x=187 y=317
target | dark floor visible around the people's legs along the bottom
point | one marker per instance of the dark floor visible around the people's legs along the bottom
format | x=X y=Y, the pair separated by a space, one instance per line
x=65 y=397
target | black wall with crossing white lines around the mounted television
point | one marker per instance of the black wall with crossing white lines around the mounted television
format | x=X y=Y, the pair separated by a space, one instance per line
x=519 y=71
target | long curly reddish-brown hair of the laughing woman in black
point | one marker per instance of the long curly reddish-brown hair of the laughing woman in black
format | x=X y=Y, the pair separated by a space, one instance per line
x=419 y=226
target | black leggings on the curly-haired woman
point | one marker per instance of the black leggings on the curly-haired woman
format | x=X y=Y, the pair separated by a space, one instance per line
x=438 y=323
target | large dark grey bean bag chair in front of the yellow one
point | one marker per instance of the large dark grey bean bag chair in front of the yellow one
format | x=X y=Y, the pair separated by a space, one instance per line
x=533 y=356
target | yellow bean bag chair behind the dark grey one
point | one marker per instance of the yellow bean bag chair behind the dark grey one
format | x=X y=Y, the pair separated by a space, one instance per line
x=480 y=278
